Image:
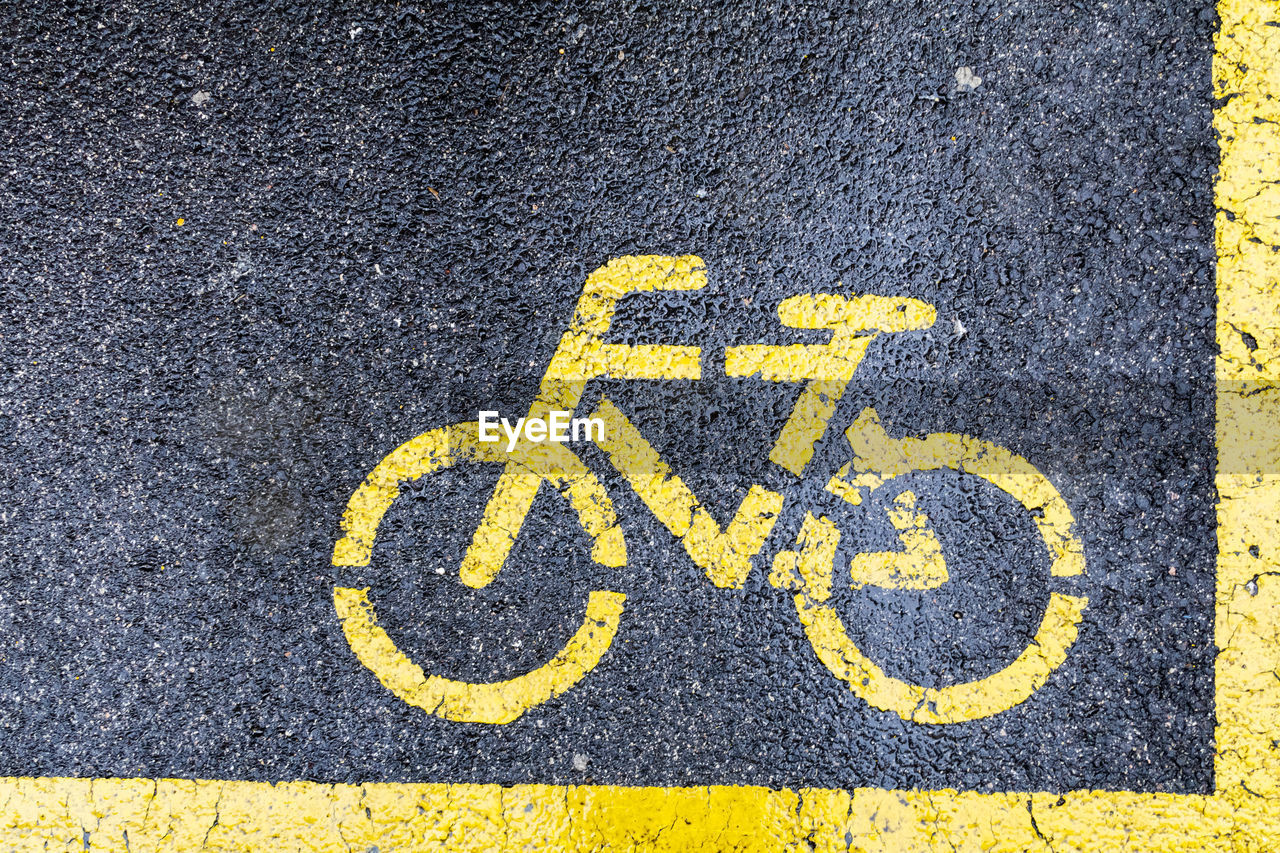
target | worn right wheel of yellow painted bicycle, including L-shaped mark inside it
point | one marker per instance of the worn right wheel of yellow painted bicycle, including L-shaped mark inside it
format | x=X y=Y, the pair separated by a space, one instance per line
x=877 y=462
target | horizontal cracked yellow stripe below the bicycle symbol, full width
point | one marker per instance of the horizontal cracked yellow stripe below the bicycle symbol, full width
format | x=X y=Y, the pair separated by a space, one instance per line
x=138 y=816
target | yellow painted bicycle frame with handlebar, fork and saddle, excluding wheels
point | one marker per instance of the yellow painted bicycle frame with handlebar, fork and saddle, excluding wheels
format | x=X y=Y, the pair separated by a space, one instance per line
x=583 y=355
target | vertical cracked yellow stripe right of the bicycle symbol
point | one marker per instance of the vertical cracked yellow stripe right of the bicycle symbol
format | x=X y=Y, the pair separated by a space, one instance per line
x=1247 y=79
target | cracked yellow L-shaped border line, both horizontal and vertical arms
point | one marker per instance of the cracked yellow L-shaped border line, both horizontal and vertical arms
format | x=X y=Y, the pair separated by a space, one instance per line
x=1244 y=814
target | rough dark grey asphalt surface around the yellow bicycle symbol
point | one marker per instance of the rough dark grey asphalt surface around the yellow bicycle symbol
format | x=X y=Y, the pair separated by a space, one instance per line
x=388 y=215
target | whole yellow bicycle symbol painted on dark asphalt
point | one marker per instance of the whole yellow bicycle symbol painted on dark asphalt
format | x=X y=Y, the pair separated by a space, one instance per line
x=725 y=555
